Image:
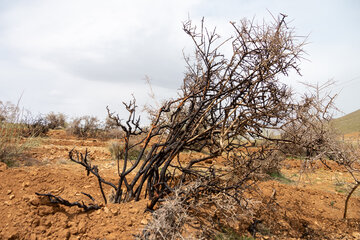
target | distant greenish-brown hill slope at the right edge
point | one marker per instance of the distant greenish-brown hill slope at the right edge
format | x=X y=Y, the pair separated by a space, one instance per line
x=349 y=123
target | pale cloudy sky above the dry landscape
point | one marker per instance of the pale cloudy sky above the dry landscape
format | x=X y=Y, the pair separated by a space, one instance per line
x=79 y=56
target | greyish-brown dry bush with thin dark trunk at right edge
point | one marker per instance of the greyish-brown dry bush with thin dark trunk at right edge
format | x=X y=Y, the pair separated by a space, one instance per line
x=309 y=134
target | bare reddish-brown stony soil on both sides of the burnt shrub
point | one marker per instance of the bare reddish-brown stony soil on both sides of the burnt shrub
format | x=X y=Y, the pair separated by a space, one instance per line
x=307 y=205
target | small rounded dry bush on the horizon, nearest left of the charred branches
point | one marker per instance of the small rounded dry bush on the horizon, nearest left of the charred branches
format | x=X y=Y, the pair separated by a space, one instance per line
x=86 y=126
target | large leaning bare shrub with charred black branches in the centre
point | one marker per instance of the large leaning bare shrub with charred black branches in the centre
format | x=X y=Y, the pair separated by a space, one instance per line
x=225 y=105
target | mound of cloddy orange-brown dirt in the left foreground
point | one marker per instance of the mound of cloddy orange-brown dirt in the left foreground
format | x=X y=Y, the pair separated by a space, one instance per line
x=26 y=216
